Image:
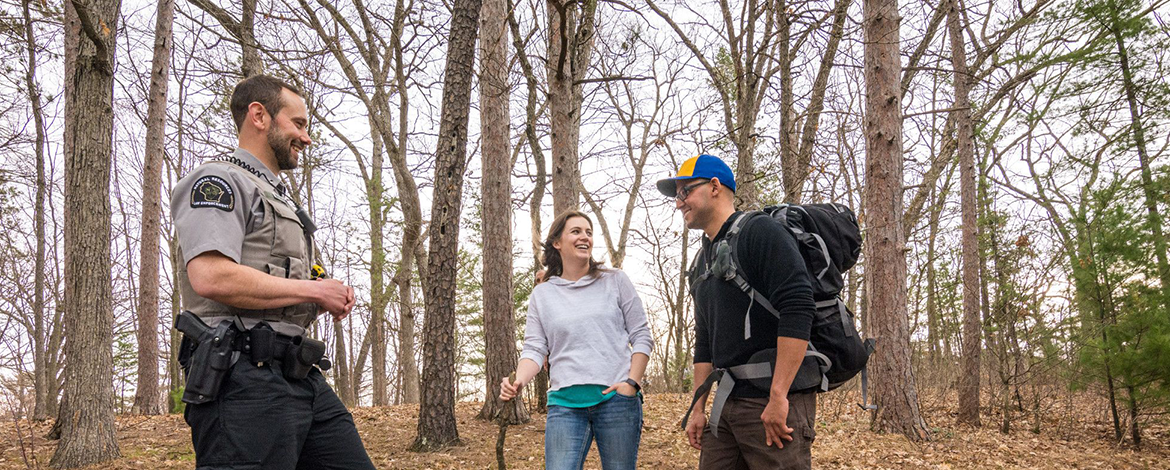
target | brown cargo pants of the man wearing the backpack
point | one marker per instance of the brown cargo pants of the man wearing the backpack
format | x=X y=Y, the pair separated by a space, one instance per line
x=742 y=445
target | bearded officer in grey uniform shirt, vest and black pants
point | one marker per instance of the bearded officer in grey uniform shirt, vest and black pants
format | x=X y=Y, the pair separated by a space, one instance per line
x=247 y=252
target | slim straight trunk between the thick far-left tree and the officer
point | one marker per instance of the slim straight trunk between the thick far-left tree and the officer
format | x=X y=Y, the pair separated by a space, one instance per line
x=147 y=396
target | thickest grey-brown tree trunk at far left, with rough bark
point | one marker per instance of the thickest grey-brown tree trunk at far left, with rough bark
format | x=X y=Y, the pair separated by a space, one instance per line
x=87 y=413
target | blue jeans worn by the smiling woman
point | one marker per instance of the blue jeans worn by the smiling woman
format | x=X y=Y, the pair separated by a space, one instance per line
x=617 y=424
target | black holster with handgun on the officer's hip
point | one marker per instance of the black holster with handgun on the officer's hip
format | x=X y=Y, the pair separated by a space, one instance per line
x=212 y=357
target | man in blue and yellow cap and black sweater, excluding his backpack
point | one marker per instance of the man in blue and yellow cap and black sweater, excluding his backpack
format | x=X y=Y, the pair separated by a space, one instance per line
x=753 y=344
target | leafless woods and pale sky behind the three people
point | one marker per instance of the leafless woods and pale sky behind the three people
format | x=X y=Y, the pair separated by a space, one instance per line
x=1007 y=162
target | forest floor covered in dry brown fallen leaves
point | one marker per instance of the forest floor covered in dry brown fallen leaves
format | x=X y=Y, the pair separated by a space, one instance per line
x=844 y=441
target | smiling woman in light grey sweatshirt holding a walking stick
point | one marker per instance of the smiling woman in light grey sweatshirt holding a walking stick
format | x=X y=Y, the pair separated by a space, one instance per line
x=589 y=323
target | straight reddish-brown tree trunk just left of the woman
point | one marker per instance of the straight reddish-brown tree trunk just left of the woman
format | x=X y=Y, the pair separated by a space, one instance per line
x=499 y=317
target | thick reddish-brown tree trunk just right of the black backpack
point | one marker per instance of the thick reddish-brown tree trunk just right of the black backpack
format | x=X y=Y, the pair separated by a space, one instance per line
x=894 y=390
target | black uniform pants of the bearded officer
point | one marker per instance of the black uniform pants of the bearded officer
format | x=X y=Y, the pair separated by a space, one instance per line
x=263 y=420
